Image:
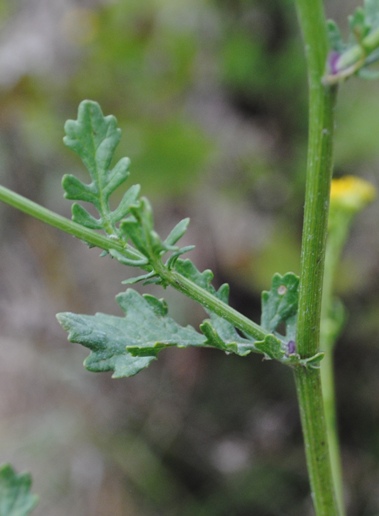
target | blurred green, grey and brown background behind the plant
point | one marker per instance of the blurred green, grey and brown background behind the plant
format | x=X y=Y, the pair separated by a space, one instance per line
x=211 y=97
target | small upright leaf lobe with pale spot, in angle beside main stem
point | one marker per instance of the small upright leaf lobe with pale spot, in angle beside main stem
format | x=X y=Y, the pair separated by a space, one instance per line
x=279 y=304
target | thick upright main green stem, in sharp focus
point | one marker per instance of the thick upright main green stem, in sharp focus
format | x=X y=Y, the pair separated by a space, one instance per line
x=319 y=167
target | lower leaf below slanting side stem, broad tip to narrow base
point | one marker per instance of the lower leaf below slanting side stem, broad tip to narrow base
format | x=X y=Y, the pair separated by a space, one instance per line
x=126 y=345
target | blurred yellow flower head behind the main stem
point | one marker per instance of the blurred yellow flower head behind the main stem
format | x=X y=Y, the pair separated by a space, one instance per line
x=351 y=193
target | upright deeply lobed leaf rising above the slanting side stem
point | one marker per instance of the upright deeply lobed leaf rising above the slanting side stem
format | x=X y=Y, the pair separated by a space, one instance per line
x=94 y=137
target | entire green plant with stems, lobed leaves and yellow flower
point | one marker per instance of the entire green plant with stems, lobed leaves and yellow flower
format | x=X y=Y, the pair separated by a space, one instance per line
x=304 y=306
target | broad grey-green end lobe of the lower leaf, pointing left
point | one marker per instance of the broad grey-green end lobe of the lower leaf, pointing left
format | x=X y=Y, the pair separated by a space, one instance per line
x=146 y=328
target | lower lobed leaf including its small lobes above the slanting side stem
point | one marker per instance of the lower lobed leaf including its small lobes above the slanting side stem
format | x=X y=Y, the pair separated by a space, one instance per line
x=126 y=345
